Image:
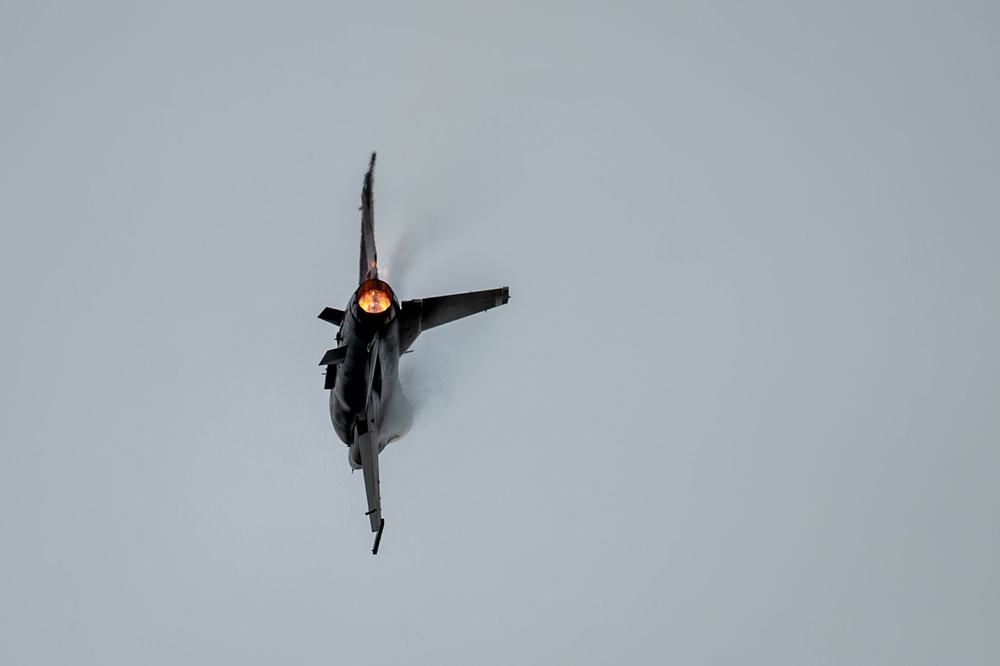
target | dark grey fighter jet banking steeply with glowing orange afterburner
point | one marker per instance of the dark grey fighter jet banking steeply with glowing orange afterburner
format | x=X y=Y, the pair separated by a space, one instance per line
x=367 y=404
